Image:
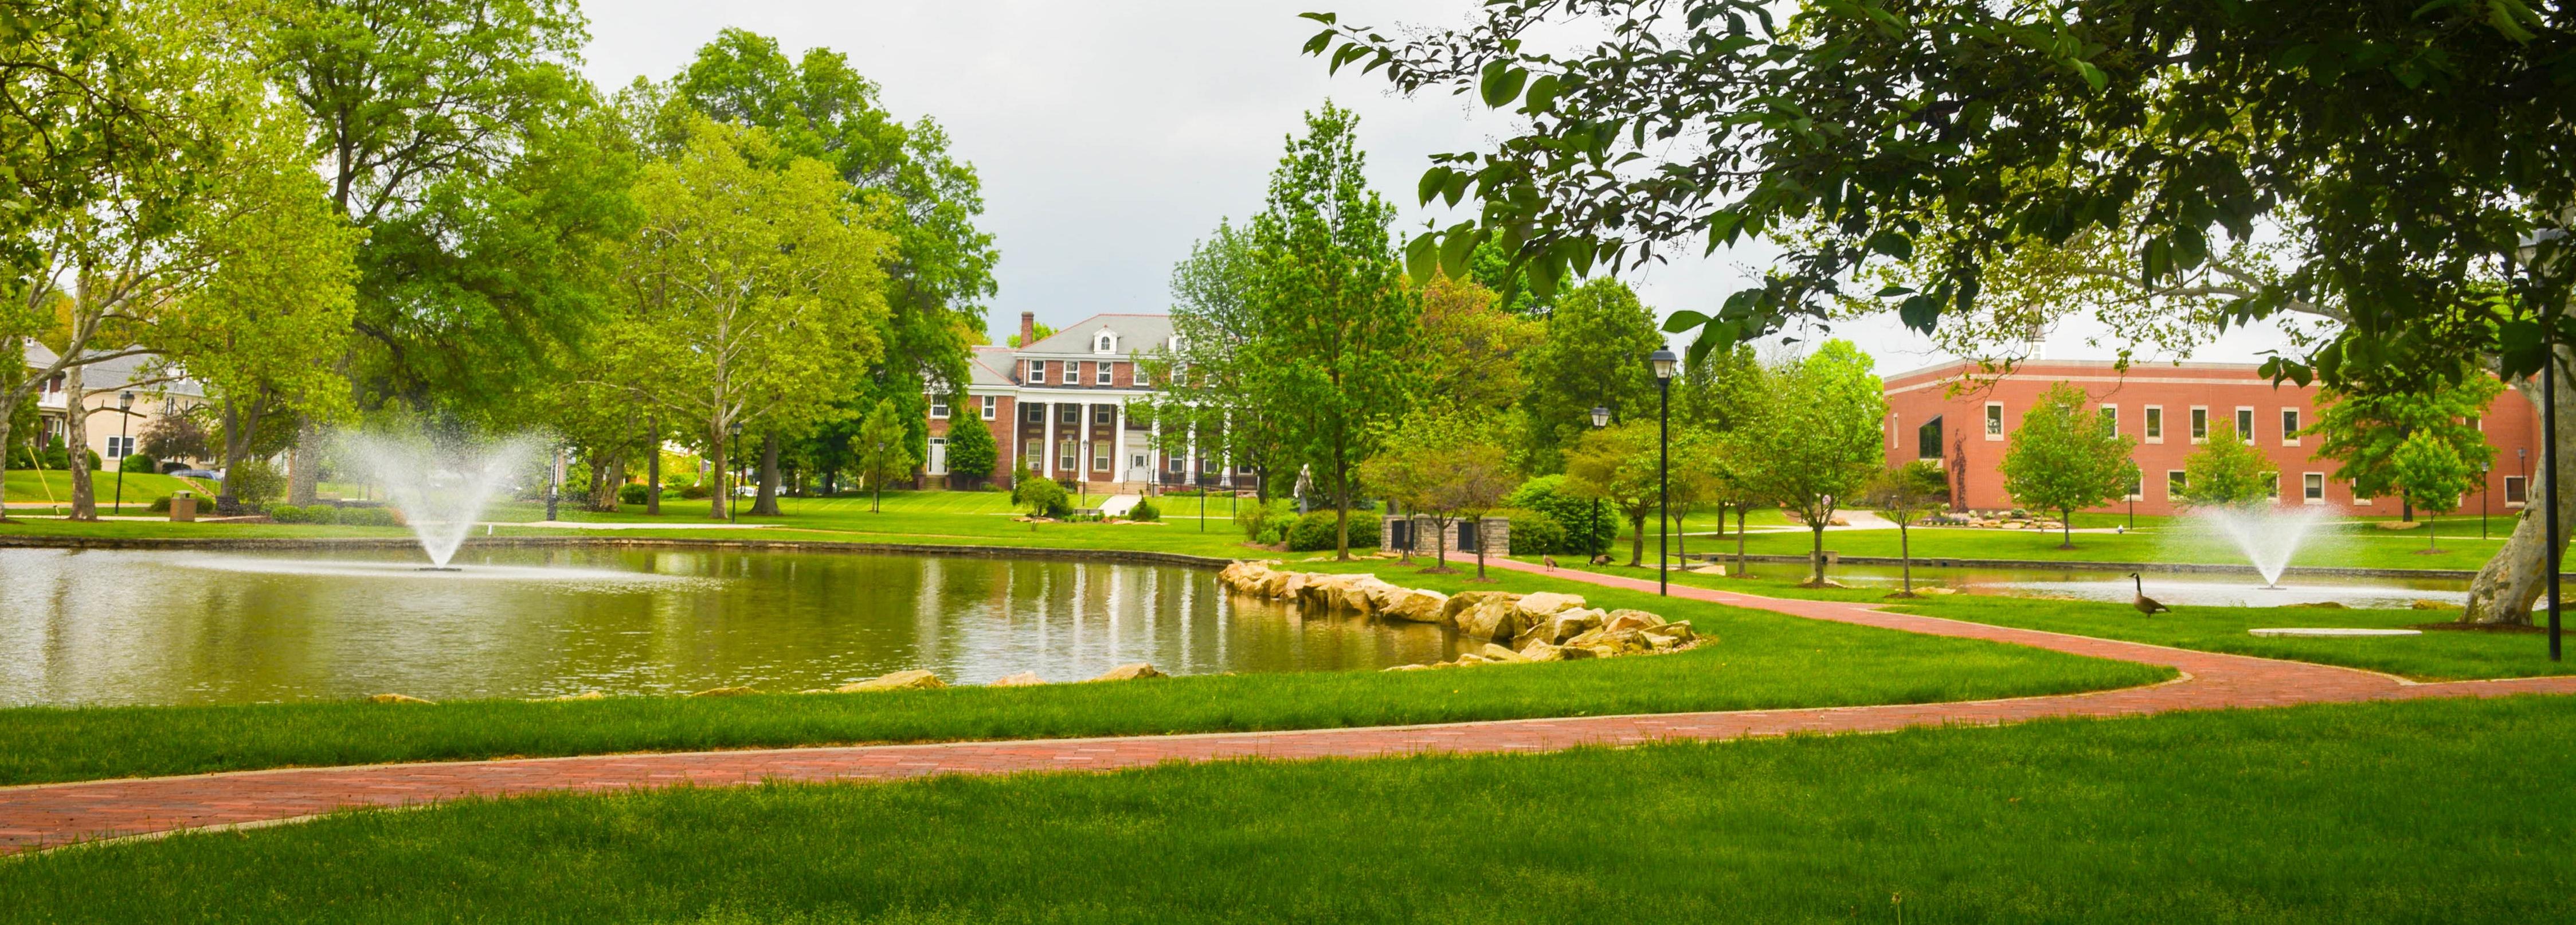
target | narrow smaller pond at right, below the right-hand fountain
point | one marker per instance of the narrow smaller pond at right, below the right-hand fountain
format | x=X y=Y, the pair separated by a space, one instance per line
x=2173 y=589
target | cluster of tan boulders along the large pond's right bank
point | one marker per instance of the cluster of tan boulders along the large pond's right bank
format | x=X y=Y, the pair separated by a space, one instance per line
x=1544 y=627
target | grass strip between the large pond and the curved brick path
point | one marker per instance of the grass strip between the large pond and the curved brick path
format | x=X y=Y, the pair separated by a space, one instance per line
x=1758 y=661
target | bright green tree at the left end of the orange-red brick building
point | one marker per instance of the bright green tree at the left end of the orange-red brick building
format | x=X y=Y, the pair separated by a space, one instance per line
x=1817 y=439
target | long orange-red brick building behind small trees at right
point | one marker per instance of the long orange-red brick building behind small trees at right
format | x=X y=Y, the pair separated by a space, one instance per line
x=2168 y=411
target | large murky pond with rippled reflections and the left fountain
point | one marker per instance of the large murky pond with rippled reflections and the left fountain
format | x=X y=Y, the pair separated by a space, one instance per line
x=202 y=627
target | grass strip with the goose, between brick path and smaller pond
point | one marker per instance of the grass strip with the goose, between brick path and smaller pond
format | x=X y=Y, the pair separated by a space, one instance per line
x=2436 y=656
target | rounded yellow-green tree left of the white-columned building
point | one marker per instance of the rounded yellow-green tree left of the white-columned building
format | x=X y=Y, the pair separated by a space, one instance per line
x=753 y=287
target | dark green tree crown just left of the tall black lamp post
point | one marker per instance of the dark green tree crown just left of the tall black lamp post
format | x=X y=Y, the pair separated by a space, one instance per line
x=1593 y=357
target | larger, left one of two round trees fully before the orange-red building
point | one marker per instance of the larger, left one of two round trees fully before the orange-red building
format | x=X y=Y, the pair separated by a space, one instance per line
x=2067 y=457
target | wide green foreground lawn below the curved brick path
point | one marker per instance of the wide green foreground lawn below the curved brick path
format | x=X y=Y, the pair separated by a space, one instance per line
x=2382 y=813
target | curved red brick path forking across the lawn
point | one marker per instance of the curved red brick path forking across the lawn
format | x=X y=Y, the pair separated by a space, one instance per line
x=66 y=813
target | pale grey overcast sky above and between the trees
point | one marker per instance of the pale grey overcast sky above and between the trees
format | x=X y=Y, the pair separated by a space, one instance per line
x=1112 y=135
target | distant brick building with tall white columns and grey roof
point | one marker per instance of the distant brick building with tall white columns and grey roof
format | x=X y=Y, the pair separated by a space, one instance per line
x=1060 y=406
